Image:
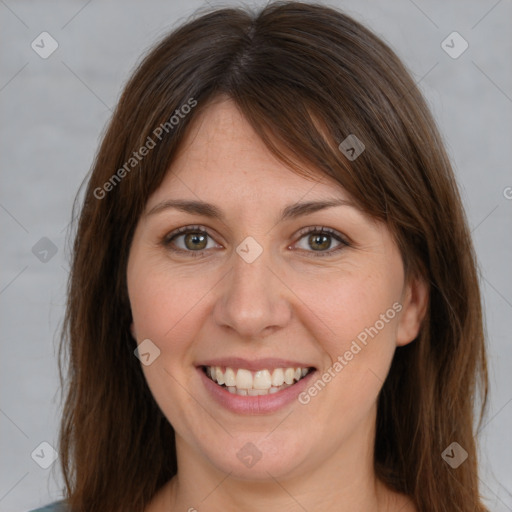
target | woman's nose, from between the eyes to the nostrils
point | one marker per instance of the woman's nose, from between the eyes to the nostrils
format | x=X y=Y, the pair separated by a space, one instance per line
x=253 y=301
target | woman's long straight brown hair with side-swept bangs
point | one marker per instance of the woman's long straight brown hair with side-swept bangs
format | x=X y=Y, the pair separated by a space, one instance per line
x=306 y=77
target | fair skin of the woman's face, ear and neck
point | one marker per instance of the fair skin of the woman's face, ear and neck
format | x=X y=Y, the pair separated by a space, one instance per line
x=289 y=303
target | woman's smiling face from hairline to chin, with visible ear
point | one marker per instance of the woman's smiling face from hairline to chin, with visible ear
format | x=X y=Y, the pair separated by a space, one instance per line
x=261 y=289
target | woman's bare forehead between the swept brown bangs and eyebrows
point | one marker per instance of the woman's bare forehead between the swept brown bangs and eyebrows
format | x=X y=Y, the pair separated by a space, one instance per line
x=222 y=157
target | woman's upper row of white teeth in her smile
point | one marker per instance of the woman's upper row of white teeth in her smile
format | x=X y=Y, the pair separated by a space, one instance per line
x=261 y=379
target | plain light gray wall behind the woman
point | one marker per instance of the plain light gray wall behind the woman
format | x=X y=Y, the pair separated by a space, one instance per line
x=53 y=113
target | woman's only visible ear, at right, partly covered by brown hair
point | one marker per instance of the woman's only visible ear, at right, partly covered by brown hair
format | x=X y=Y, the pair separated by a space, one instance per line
x=414 y=302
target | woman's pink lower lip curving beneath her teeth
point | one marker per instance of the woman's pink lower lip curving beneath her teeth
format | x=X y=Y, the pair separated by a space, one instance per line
x=260 y=404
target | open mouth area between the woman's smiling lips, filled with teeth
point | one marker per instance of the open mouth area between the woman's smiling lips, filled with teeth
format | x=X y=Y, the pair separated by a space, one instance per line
x=243 y=382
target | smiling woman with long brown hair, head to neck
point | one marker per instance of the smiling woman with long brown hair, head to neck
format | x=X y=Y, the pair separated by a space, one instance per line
x=273 y=301
